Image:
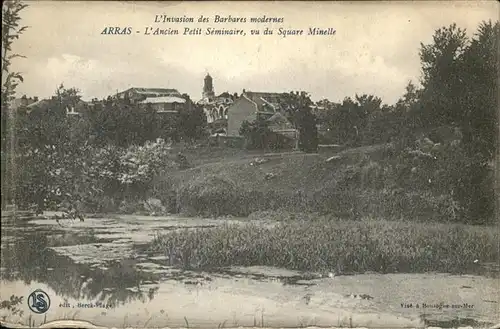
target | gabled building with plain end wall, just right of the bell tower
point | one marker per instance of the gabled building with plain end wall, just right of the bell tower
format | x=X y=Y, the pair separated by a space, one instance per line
x=252 y=105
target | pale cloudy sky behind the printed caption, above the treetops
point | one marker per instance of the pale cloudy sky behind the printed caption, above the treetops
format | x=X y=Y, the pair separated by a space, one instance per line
x=374 y=49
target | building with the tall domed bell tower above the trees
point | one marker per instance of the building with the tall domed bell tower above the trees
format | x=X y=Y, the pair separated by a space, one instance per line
x=215 y=107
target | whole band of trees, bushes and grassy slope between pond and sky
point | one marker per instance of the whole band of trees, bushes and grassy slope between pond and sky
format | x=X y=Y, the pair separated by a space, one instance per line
x=437 y=163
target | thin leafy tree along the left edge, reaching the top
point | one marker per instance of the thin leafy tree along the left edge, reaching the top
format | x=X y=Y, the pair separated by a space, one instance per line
x=10 y=31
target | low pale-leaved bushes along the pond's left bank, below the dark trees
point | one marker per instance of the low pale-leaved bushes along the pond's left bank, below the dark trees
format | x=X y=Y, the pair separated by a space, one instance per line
x=84 y=178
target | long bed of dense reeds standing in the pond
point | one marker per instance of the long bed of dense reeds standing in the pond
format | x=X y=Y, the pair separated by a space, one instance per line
x=327 y=244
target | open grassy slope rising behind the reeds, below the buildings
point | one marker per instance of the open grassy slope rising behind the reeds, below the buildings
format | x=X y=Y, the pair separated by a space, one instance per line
x=353 y=183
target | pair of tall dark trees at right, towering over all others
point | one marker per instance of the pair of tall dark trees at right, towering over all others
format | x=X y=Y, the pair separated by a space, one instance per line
x=459 y=90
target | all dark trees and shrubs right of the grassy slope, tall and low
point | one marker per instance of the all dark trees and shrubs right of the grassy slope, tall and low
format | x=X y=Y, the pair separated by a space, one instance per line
x=457 y=92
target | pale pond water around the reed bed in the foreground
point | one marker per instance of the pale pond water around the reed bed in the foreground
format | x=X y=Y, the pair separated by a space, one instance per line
x=106 y=261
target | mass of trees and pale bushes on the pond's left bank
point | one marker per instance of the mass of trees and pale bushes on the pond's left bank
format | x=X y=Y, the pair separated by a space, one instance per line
x=96 y=160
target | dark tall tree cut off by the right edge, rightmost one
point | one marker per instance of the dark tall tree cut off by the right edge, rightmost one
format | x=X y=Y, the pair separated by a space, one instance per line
x=478 y=103
